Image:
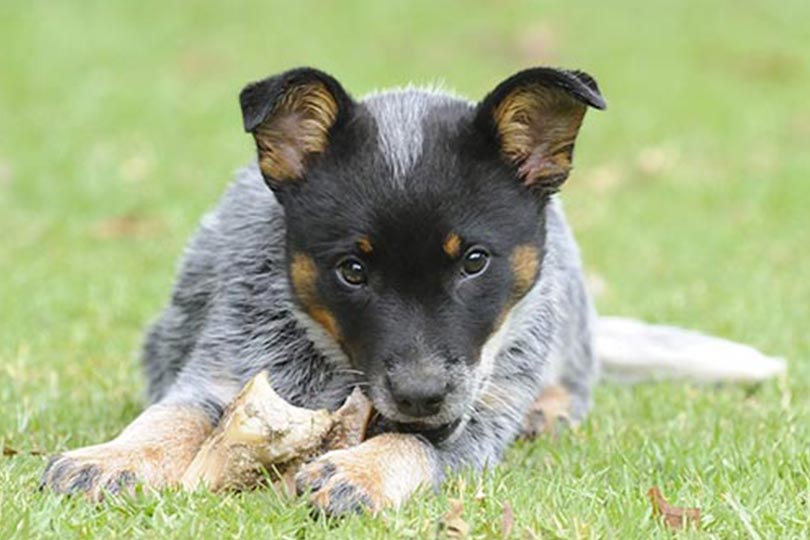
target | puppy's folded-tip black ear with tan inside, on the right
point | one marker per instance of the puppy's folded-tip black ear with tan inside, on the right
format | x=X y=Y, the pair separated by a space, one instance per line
x=533 y=117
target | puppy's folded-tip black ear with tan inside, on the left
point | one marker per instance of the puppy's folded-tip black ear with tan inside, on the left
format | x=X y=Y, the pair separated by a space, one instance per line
x=291 y=117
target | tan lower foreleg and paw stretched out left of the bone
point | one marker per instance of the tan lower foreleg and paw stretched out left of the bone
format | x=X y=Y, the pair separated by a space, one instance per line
x=155 y=449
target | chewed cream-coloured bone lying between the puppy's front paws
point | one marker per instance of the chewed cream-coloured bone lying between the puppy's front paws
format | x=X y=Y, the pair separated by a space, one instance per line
x=262 y=434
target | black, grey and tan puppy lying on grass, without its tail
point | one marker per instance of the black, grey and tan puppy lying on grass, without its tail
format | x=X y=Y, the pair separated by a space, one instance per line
x=409 y=243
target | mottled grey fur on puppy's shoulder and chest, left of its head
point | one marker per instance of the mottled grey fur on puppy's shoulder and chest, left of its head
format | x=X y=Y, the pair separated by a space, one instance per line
x=232 y=314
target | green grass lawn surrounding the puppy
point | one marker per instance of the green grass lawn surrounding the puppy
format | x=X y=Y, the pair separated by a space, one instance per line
x=119 y=126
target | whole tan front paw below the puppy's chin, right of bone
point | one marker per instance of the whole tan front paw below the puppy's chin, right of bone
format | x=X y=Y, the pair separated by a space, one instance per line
x=383 y=471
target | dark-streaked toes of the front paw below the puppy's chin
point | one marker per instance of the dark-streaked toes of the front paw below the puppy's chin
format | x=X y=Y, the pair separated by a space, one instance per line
x=337 y=484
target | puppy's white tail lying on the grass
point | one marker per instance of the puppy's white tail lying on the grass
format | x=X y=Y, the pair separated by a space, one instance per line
x=633 y=350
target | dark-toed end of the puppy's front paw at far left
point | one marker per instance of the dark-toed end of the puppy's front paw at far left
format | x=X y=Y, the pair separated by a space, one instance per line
x=93 y=470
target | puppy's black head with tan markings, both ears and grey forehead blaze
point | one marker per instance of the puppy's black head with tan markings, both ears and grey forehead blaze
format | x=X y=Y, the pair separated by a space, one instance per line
x=415 y=220
